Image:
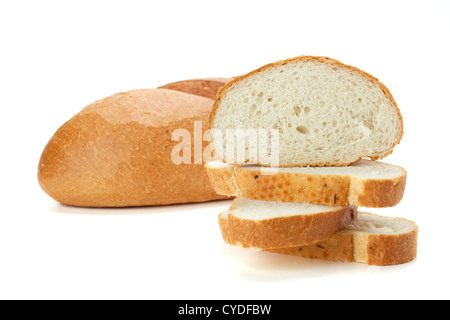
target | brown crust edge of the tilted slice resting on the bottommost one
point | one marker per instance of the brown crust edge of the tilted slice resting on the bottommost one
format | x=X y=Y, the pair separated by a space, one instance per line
x=284 y=231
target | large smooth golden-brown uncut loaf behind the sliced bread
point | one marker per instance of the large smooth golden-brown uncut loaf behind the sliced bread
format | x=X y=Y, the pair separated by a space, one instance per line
x=117 y=152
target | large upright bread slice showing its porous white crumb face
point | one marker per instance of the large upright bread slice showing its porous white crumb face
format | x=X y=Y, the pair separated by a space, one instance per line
x=326 y=113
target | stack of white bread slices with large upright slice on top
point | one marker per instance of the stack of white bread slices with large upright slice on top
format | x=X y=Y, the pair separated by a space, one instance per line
x=325 y=121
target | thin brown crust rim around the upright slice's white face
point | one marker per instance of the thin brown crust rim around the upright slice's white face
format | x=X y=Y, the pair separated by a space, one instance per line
x=221 y=93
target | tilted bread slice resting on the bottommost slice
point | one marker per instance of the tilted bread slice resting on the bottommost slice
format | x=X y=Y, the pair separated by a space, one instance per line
x=272 y=224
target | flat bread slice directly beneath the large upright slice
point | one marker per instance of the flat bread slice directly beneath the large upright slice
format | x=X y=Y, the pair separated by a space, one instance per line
x=365 y=183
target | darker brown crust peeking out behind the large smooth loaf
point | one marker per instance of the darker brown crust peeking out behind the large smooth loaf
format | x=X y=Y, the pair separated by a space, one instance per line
x=207 y=88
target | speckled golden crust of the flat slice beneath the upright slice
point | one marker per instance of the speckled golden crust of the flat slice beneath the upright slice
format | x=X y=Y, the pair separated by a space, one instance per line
x=331 y=190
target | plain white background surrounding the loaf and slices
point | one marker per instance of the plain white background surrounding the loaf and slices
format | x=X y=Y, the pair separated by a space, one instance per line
x=58 y=56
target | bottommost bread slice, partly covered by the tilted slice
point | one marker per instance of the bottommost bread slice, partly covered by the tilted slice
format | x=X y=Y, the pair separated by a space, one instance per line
x=370 y=239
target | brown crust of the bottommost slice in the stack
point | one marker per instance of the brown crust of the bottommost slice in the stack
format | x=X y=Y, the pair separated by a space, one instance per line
x=371 y=249
